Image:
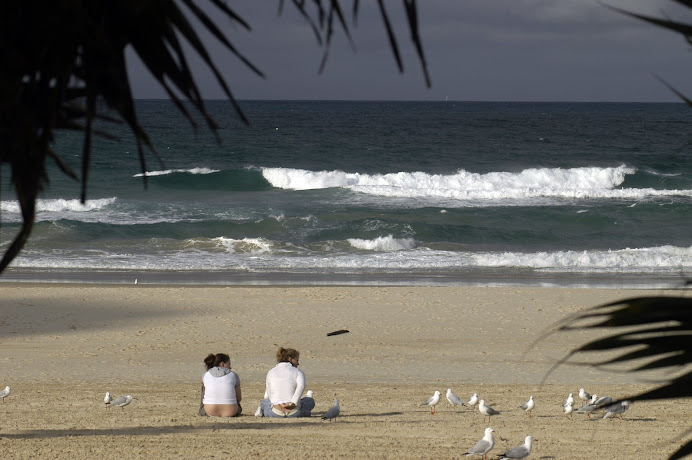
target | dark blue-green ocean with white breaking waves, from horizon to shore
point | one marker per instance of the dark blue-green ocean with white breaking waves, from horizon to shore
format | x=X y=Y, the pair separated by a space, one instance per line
x=595 y=194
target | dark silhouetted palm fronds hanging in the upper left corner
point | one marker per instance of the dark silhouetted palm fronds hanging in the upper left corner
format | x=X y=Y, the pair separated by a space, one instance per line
x=63 y=67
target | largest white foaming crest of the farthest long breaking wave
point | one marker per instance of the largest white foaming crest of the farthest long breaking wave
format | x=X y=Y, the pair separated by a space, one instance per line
x=587 y=182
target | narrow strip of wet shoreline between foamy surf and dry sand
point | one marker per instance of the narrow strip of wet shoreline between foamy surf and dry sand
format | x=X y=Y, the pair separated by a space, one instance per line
x=472 y=278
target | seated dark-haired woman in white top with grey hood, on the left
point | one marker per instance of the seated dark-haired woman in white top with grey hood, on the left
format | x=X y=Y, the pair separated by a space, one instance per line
x=221 y=387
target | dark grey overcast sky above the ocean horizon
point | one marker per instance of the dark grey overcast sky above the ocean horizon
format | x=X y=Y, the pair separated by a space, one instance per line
x=480 y=50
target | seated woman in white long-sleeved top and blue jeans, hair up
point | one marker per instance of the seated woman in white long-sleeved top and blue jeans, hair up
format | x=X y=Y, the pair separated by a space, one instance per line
x=285 y=385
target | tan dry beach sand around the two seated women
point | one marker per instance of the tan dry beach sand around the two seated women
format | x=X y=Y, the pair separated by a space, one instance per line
x=63 y=346
